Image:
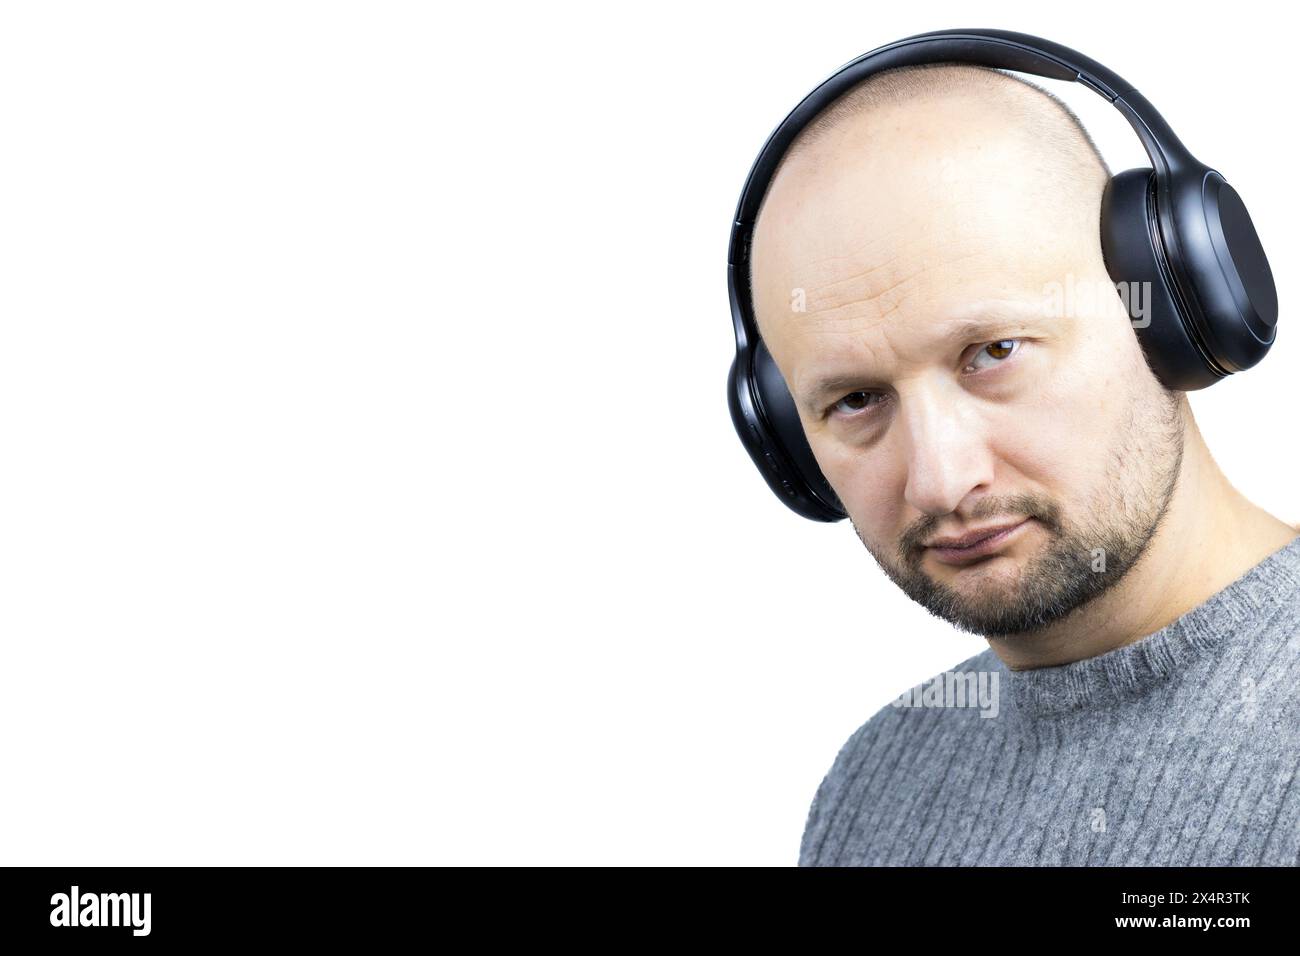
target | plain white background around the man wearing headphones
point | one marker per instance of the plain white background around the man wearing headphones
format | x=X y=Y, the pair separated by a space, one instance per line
x=370 y=494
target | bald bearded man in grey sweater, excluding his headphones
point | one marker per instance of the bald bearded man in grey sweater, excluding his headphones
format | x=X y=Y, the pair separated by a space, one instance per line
x=909 y=267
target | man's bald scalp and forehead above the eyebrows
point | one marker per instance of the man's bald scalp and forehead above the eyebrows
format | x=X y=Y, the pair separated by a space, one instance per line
x=920 y=191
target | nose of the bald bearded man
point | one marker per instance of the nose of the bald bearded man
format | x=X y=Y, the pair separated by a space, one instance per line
x=946 y=447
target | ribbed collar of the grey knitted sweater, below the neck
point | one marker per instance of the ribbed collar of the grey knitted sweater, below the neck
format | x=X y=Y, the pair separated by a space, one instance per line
x=1240 y=612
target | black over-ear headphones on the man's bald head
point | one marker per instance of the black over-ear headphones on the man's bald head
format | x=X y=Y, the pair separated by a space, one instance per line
x=1177 y=226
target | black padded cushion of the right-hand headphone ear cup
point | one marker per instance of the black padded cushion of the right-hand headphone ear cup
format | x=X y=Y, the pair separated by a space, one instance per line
x=1136 y=258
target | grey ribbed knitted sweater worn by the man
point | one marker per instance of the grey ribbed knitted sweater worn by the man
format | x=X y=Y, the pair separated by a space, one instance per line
x=1178 y=750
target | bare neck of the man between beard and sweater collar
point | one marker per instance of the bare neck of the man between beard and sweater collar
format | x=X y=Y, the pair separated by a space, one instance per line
x=1211 y=537
